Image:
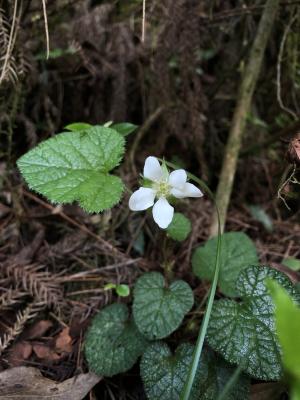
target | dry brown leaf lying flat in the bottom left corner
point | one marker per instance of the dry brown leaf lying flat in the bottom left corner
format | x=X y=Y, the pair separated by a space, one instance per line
x=27 y=383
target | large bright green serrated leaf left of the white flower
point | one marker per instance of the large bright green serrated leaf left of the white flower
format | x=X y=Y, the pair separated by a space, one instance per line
x=74 y=166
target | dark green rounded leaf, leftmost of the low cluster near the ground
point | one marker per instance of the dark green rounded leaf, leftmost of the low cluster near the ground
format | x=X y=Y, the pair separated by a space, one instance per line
x=113 y=343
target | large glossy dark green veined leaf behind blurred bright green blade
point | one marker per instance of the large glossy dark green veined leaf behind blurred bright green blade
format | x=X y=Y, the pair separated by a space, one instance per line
x=244 y=332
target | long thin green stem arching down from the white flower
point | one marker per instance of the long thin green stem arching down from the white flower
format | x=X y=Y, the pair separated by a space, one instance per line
x=200 y=341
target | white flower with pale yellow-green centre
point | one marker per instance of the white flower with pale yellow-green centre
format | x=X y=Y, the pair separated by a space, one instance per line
x=163 y=185
